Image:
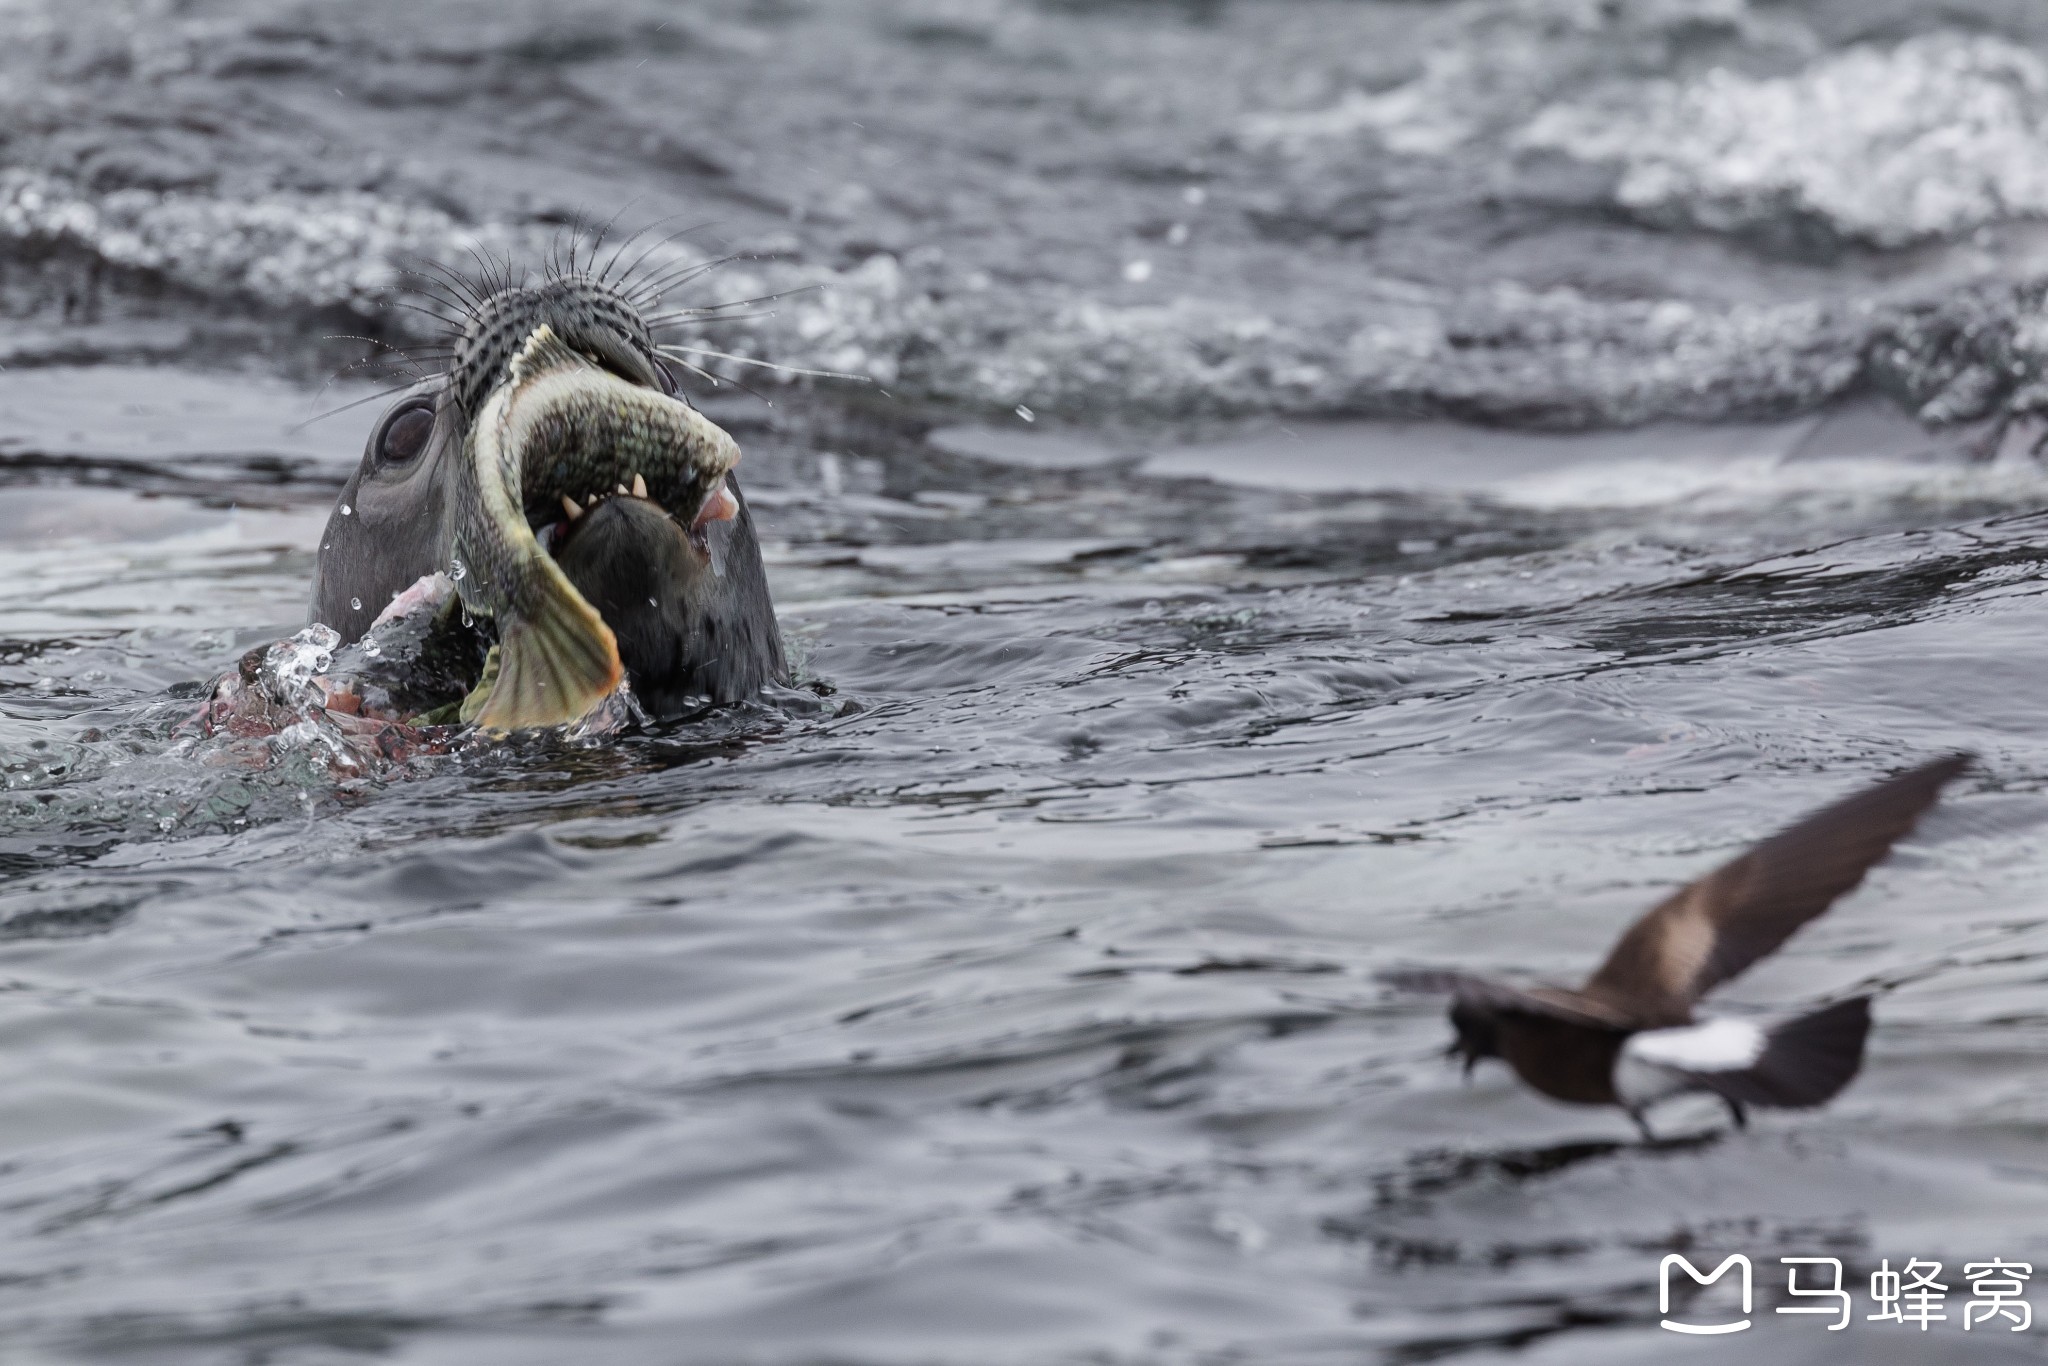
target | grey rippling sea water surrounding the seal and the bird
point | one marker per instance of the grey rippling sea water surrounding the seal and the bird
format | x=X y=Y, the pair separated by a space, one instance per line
x=1013 y=1000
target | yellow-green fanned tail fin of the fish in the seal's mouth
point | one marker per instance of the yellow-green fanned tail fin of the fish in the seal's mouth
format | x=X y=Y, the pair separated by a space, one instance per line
x=554 y=663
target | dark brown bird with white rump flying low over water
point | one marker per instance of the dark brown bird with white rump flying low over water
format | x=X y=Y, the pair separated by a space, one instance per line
x=1629 y=1037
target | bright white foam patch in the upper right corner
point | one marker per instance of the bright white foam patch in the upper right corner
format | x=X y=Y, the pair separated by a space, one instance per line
x=1930 y=138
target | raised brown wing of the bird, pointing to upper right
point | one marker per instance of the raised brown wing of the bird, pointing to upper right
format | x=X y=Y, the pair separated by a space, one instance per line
x=1744 y=910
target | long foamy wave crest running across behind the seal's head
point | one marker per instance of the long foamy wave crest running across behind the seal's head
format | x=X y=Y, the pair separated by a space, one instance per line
x=929 y=333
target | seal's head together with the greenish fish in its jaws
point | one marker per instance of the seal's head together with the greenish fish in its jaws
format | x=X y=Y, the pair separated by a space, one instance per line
x=585 y=511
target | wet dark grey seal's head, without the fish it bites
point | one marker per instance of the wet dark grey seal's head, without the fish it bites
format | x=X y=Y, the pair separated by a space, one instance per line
x=685 y=601
